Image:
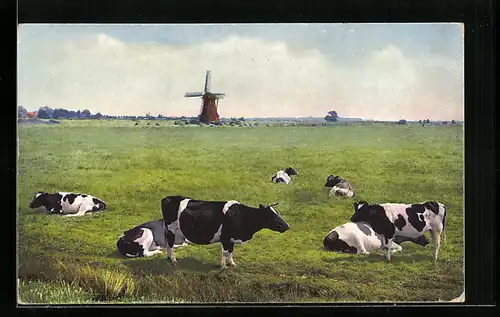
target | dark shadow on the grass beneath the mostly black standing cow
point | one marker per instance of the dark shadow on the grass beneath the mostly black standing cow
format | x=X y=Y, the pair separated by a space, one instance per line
x=160 y=265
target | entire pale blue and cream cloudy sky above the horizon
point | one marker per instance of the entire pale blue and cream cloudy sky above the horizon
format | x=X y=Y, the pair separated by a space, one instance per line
x=370 y=71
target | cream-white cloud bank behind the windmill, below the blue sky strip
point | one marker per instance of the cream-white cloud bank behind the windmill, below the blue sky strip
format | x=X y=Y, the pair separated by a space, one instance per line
x=260 y=78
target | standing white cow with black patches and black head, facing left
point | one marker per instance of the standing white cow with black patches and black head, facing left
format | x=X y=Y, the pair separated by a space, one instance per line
x=406 y=220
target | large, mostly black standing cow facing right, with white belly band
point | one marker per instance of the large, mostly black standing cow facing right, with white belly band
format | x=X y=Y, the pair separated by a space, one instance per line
x=207 y=222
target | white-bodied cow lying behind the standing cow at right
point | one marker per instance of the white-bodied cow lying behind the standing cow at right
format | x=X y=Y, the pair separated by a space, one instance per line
x=360 y=238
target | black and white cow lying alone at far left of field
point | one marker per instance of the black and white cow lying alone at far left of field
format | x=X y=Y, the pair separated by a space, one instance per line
x=67 y=204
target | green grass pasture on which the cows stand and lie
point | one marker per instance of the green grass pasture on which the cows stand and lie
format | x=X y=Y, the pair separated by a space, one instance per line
x=74 y=260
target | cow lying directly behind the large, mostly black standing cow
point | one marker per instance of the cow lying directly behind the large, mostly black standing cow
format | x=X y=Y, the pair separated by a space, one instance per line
x=145 y=240
